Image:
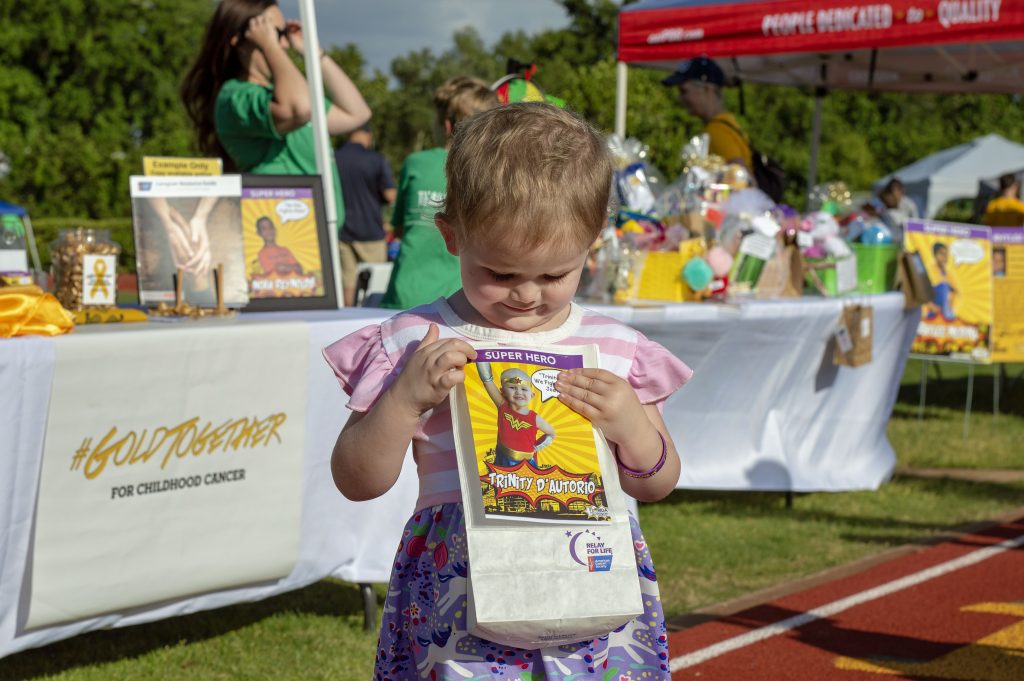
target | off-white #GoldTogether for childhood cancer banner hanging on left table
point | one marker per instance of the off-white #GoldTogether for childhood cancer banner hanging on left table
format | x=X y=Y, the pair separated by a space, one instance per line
x=189 y=482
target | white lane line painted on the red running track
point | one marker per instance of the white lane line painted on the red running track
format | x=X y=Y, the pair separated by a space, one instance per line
x=744 y=641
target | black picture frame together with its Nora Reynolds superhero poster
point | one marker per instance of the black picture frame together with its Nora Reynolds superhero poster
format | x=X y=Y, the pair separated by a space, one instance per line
x=286 y=243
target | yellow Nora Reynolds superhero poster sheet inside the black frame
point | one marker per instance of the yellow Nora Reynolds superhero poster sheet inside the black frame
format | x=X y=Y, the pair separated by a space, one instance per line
x=282 y=250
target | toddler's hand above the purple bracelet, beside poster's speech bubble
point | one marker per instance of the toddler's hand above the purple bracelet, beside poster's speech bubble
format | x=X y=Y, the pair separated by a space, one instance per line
x=607 y=401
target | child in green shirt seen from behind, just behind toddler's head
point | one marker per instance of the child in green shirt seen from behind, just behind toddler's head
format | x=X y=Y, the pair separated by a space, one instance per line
x=424 y=271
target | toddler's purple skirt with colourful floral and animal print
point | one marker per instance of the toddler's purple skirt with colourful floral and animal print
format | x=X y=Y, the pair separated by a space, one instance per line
x=423 y=633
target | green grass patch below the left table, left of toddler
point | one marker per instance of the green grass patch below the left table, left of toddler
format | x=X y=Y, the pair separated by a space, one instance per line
x=314 y=633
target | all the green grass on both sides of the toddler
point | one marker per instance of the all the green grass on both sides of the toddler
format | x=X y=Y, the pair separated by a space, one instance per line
x=708 y=547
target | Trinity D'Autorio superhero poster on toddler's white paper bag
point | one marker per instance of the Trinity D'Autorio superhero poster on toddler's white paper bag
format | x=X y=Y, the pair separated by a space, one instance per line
x=536 y=458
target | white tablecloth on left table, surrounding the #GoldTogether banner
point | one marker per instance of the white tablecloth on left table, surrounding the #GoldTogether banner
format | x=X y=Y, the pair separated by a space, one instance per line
x=355 y=542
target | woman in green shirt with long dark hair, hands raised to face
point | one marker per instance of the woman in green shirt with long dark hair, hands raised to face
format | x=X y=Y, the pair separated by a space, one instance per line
x=250 y=104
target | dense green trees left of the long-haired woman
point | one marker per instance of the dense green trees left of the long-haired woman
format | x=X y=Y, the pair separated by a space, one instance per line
x=88 y=90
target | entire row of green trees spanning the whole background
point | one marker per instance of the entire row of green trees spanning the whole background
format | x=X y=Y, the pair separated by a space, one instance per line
x=88 y=90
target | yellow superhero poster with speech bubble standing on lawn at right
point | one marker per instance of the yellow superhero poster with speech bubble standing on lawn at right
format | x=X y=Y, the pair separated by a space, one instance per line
x=958 y=321
